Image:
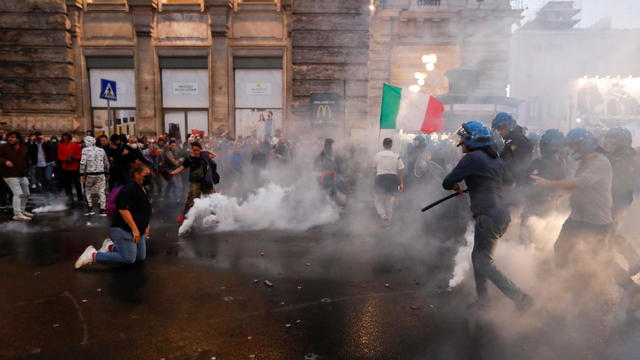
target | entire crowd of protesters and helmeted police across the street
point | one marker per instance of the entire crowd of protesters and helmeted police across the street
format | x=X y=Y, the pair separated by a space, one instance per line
x=505 y=171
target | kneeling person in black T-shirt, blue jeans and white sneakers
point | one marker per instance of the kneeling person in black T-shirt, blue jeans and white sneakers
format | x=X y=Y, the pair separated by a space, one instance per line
x=130 y=226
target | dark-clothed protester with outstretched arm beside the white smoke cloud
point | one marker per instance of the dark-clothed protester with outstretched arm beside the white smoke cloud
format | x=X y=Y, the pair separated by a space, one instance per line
x=202 y=175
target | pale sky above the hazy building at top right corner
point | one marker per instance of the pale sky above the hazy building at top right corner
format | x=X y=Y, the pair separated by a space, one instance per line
x=624 y=13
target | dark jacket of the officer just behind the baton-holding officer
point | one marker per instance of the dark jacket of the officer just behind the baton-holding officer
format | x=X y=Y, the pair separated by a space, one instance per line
x=517 y=154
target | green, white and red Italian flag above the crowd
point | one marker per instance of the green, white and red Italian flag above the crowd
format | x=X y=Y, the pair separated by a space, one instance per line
x=404 y=109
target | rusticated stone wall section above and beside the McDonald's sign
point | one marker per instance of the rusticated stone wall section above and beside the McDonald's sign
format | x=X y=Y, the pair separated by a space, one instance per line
x=330 y=54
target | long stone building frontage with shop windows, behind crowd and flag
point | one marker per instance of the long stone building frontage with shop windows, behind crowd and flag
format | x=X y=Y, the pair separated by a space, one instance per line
x=235 y=65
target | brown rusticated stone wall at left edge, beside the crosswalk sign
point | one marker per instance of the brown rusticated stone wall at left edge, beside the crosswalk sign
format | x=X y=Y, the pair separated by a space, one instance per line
x=37 y=88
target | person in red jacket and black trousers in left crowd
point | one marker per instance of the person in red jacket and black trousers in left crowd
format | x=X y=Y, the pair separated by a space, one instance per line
x=69 y=153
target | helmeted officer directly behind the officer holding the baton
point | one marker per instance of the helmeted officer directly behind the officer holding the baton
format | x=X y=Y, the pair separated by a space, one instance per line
x=517 y=153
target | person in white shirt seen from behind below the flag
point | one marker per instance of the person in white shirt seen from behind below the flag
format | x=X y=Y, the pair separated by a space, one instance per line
x=389 y=181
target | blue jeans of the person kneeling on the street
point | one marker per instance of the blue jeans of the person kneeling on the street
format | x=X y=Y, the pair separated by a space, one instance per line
x=124 y=250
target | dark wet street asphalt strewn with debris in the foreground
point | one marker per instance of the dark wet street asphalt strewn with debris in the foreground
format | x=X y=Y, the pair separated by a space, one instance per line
x=321 y=294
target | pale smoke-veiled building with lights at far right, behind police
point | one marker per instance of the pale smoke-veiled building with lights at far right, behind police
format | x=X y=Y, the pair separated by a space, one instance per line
x=570 y=77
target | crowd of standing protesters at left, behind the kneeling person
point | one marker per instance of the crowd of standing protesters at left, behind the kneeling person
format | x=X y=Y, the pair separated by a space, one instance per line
x=84 y=169
